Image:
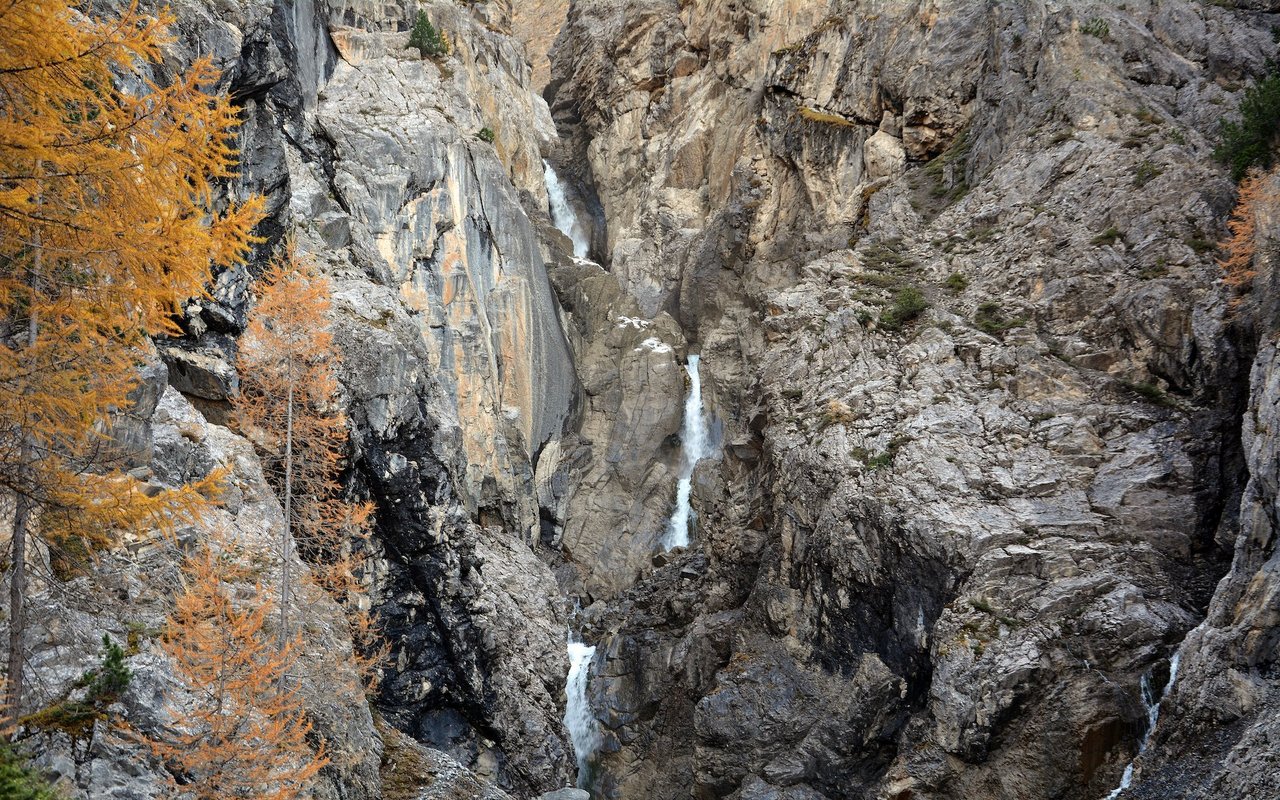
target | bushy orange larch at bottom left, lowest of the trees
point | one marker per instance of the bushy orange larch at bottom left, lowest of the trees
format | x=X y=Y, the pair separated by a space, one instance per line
x=248 y=735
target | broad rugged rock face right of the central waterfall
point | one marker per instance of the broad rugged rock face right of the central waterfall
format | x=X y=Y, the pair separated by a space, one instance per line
x=940 y=554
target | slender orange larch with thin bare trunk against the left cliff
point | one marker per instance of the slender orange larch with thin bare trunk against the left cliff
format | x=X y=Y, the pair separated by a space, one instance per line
x=289 y=408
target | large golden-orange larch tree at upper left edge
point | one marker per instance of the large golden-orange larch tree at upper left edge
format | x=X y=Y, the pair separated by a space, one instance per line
x=108 y=221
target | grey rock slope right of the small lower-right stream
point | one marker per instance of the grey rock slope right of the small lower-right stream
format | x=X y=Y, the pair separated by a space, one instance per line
x=1219 y=725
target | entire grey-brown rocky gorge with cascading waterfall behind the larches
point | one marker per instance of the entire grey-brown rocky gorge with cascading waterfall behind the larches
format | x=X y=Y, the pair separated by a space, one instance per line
x=990 y=446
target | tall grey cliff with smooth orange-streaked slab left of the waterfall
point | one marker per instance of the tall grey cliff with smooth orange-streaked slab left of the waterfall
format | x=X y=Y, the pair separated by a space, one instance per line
x=456 y=372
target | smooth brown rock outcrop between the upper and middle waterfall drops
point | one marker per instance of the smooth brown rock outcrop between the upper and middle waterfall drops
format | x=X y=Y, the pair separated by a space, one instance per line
x=606 y=487
